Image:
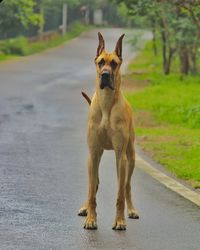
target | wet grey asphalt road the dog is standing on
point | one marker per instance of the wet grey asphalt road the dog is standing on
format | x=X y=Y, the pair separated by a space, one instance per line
x=43 y=155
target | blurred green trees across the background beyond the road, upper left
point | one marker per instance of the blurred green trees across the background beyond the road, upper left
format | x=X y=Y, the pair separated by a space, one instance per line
x=33 y=17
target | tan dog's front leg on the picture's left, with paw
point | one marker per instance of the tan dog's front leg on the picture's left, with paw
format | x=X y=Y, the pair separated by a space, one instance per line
x=93 y=167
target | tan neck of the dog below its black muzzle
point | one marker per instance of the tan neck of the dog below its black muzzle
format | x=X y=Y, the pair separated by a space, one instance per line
x=107 y=97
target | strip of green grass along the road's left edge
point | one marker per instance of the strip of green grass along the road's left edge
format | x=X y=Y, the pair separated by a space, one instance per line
x=21 y=47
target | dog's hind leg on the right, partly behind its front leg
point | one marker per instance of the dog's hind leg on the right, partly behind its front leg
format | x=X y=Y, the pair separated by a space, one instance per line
x=132 y=213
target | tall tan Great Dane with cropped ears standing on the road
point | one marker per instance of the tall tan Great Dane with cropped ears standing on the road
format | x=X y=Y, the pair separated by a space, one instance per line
x=110 y=127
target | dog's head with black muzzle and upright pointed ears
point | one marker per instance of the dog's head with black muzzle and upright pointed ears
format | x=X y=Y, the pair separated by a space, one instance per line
x=108 y=64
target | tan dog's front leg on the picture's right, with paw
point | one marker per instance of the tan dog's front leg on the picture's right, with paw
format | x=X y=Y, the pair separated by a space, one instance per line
x=120 y=223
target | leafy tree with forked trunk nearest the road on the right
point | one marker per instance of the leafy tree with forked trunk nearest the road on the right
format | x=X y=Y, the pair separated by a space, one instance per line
x=157 y=18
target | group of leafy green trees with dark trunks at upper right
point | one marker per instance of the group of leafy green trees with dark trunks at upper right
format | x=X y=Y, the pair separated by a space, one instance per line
x=172 y=22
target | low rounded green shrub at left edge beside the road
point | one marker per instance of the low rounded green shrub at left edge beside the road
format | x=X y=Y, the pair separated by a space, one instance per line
x=16 y=46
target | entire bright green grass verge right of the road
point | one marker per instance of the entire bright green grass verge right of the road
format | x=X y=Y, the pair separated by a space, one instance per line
x=170 y=133
